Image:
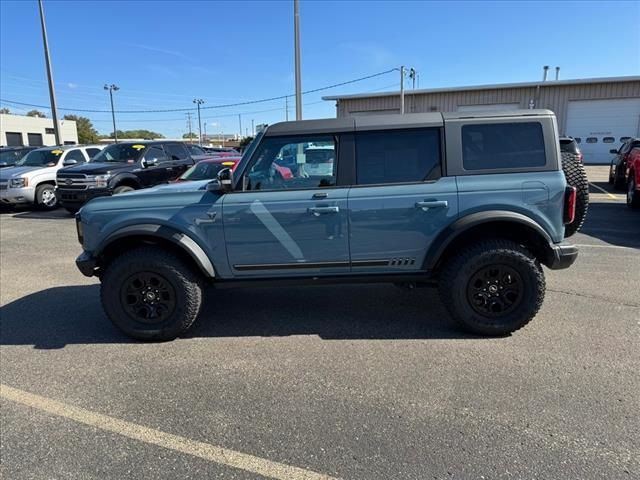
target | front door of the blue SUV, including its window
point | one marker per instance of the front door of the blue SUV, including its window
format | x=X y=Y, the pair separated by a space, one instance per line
x=283 y=223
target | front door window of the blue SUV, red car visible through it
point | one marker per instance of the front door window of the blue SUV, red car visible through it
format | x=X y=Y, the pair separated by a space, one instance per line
x=282 y=163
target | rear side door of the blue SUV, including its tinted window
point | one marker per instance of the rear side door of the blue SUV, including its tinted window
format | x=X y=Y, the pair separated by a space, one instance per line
x=401 y=201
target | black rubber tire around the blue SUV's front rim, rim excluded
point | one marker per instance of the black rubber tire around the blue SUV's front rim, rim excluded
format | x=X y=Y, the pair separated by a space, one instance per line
x=186 y=283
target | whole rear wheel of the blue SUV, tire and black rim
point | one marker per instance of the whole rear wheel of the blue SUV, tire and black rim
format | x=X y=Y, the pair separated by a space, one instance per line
x=492 y=288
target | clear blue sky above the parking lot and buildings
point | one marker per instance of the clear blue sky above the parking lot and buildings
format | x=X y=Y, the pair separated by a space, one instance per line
x=163 y=54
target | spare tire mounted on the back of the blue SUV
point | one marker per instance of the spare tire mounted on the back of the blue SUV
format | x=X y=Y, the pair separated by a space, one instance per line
x=576 y=177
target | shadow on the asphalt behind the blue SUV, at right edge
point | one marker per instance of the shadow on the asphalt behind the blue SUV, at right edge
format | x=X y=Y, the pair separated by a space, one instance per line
x=613 y=223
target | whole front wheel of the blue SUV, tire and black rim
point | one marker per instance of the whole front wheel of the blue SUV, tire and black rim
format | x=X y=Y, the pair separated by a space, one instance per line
x=150 y=294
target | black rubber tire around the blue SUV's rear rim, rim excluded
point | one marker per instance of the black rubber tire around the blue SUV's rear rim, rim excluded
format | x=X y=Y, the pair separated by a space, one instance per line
x=460 y=270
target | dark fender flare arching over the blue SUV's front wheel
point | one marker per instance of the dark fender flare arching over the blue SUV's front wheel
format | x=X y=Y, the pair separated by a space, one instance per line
x=178 y=238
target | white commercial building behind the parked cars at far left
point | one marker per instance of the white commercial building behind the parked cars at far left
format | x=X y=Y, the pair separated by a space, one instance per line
x=16 y=130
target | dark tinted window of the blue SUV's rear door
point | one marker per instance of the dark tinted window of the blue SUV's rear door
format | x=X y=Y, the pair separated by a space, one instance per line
x=399 y=156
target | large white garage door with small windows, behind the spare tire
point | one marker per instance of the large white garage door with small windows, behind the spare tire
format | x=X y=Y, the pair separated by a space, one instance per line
x=599 y=125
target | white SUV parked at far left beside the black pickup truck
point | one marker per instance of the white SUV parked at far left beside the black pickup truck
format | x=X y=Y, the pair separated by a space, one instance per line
x=32 y=180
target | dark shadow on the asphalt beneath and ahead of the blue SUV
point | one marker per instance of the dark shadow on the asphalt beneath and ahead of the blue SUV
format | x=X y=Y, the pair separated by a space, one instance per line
x=61 y=316
